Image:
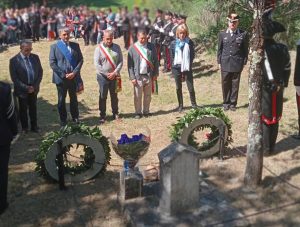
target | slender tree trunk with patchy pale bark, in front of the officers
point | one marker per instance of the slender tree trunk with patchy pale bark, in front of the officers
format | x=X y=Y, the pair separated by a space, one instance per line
x=253 y=173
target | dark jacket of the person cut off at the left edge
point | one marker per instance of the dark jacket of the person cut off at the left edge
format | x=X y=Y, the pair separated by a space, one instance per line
x=8 y=122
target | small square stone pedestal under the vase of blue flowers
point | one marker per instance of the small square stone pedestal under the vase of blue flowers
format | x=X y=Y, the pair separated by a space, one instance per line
x=131 y=185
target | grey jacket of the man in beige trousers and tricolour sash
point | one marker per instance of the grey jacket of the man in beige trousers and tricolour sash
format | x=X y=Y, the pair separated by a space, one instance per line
x=134 y=59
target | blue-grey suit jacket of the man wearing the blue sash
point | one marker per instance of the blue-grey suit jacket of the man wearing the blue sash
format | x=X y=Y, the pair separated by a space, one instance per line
x=60 y=65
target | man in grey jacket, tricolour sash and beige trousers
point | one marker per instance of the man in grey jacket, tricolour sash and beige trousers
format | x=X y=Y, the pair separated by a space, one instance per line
x=143 y=70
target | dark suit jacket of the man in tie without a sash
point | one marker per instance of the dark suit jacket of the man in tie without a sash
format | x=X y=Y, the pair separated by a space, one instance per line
x=18 y=74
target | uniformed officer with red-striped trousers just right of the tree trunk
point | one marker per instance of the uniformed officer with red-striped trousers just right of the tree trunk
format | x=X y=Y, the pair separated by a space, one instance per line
x=276 y=73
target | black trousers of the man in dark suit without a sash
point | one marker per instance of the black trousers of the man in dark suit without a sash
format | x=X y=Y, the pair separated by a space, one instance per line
x=28 y=105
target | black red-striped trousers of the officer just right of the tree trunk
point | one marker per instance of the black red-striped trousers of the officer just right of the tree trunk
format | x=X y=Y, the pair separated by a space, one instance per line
x=270 y=131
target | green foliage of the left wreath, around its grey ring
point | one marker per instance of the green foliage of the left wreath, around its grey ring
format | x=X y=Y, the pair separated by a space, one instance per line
x=87 y=159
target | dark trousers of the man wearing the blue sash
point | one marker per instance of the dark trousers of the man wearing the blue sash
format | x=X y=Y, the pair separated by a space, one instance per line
x=68 y=86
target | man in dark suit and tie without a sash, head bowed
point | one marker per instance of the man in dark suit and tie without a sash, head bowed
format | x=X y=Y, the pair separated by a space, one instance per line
x=26 y=73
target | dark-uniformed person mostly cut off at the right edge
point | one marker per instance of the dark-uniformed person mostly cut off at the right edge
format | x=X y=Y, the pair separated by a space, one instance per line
x=297 y=86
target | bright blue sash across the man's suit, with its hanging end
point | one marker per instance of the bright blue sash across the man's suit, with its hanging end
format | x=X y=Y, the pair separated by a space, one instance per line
x=65 y=51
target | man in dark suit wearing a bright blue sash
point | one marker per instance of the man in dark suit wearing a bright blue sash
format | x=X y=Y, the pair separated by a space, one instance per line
x=66 y=61
